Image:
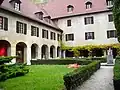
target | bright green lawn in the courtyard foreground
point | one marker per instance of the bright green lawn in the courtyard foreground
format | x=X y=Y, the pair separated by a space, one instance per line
x=40 y=77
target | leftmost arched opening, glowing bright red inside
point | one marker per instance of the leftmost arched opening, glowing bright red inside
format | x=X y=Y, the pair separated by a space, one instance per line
x=5 y=48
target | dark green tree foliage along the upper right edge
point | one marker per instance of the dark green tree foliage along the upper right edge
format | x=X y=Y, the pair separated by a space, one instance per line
x=116 y=15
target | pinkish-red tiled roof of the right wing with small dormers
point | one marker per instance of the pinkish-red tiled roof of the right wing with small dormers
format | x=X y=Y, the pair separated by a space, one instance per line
x=58 y=8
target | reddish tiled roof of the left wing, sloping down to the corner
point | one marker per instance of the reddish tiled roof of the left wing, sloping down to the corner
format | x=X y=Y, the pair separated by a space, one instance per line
x=28 y=9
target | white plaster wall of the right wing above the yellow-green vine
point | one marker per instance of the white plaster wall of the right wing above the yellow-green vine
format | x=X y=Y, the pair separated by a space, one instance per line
x=100 y=27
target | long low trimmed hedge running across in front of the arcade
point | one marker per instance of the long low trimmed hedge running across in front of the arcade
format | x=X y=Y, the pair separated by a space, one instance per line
x=60 y=62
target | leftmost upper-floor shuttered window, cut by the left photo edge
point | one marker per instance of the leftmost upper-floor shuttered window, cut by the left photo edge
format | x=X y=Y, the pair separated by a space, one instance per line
x=3 y=23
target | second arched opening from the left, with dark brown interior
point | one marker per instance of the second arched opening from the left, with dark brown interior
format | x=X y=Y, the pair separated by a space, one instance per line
x=21 y=52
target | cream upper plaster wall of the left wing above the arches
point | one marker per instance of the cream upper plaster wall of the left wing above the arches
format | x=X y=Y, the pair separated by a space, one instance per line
x=14 y=37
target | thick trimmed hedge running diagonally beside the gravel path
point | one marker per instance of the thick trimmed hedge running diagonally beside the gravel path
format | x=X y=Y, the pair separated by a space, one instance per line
x=78 y=76
